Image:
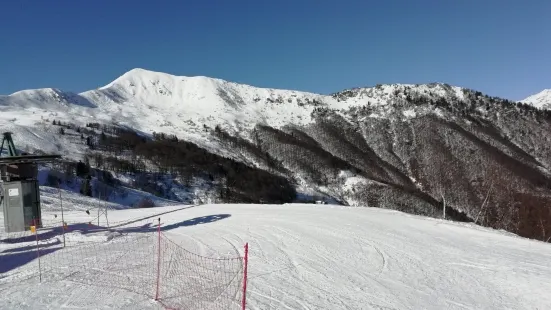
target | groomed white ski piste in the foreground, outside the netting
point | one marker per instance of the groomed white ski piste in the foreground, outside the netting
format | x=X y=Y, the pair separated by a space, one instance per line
x=305 y=257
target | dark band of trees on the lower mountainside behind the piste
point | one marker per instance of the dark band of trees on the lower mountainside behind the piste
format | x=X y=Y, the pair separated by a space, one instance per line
x=128 y=152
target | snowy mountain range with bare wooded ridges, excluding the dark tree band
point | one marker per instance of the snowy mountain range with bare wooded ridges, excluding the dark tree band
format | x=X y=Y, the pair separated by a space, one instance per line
x=415 y=148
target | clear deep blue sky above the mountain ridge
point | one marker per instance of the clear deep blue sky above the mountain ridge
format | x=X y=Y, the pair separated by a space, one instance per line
x=500 y=47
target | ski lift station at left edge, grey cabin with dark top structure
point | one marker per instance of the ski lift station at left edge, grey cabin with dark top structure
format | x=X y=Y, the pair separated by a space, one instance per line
x=19 y=189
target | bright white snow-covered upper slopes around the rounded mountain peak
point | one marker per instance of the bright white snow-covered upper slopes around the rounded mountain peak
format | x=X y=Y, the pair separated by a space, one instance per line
x=159 y=102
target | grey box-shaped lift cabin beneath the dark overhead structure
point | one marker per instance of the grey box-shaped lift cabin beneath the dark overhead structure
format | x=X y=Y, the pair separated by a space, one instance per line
x=21 y=205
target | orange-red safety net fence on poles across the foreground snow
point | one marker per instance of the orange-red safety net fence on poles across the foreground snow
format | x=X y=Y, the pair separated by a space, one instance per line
x=138 y=258
